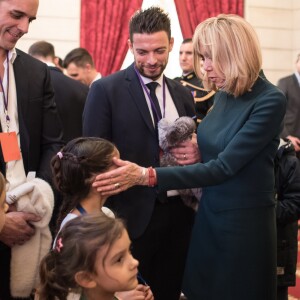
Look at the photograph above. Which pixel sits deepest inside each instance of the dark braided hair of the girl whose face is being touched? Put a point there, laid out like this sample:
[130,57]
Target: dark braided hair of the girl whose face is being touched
[74,167]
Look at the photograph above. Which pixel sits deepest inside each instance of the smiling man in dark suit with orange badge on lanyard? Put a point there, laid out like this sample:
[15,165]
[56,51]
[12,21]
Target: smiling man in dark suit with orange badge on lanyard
[29,121]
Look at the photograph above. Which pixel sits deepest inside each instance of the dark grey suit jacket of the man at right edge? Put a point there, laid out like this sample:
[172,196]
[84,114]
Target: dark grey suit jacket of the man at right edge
[290,87]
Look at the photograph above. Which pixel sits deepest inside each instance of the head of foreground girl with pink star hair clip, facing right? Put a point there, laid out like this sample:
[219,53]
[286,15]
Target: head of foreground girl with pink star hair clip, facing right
[91,259]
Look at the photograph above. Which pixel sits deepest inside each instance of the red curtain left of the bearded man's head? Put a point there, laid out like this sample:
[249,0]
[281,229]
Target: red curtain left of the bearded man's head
[104,31]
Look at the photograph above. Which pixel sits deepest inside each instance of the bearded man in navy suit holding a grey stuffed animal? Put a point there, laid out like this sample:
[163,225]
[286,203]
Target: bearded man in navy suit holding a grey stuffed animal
[123,109]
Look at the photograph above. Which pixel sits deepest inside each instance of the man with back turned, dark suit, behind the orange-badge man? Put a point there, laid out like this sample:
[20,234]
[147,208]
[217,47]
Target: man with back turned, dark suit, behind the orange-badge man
[70,95]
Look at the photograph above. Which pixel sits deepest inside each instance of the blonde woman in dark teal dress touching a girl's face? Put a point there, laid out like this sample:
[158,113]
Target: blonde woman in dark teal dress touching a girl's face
[232,253]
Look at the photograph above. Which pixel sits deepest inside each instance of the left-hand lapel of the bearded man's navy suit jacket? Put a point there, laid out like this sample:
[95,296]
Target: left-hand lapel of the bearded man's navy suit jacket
[137,95]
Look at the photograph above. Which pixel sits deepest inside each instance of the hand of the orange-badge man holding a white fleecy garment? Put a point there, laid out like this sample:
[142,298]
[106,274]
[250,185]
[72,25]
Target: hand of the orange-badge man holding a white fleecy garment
[17,228]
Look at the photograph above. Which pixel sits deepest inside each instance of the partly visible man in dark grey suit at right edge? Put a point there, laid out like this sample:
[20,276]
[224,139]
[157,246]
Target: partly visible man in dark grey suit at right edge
[290,86]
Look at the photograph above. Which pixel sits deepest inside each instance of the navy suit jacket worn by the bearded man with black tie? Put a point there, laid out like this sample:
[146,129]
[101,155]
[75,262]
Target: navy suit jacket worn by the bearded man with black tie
[116,109]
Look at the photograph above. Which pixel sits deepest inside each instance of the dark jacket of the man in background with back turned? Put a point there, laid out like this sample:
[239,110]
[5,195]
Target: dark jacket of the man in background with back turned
[70,96]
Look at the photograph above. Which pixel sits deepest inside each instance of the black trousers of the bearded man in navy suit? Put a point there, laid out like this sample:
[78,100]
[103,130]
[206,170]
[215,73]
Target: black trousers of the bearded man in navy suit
[162,249]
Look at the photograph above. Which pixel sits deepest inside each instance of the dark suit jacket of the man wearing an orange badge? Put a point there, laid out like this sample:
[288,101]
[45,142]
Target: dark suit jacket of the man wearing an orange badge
[39,124]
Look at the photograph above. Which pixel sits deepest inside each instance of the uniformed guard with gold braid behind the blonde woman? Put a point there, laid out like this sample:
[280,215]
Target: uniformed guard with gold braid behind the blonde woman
[203,99]
